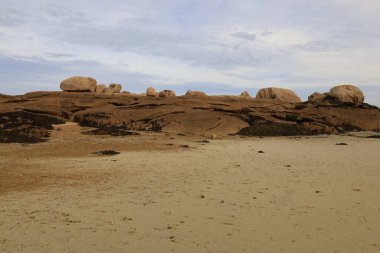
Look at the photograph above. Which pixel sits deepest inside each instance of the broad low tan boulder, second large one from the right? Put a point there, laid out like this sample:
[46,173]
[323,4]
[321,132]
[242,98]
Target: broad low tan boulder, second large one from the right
[280,94]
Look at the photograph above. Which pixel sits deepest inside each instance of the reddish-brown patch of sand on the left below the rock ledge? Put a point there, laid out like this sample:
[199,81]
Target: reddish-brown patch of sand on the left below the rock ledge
[21,168]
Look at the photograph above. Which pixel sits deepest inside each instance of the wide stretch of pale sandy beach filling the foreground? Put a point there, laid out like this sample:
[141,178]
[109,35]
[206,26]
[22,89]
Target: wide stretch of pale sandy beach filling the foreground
[170,193]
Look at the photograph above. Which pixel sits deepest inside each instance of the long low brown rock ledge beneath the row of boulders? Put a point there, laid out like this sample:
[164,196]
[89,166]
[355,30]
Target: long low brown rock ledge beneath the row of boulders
[28,118]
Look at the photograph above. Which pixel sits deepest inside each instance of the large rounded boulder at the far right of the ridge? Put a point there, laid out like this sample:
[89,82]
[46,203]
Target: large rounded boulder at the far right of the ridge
[347,94]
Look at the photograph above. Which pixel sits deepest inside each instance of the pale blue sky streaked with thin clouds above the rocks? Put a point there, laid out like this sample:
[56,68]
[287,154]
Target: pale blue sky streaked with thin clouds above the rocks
[217,46]
